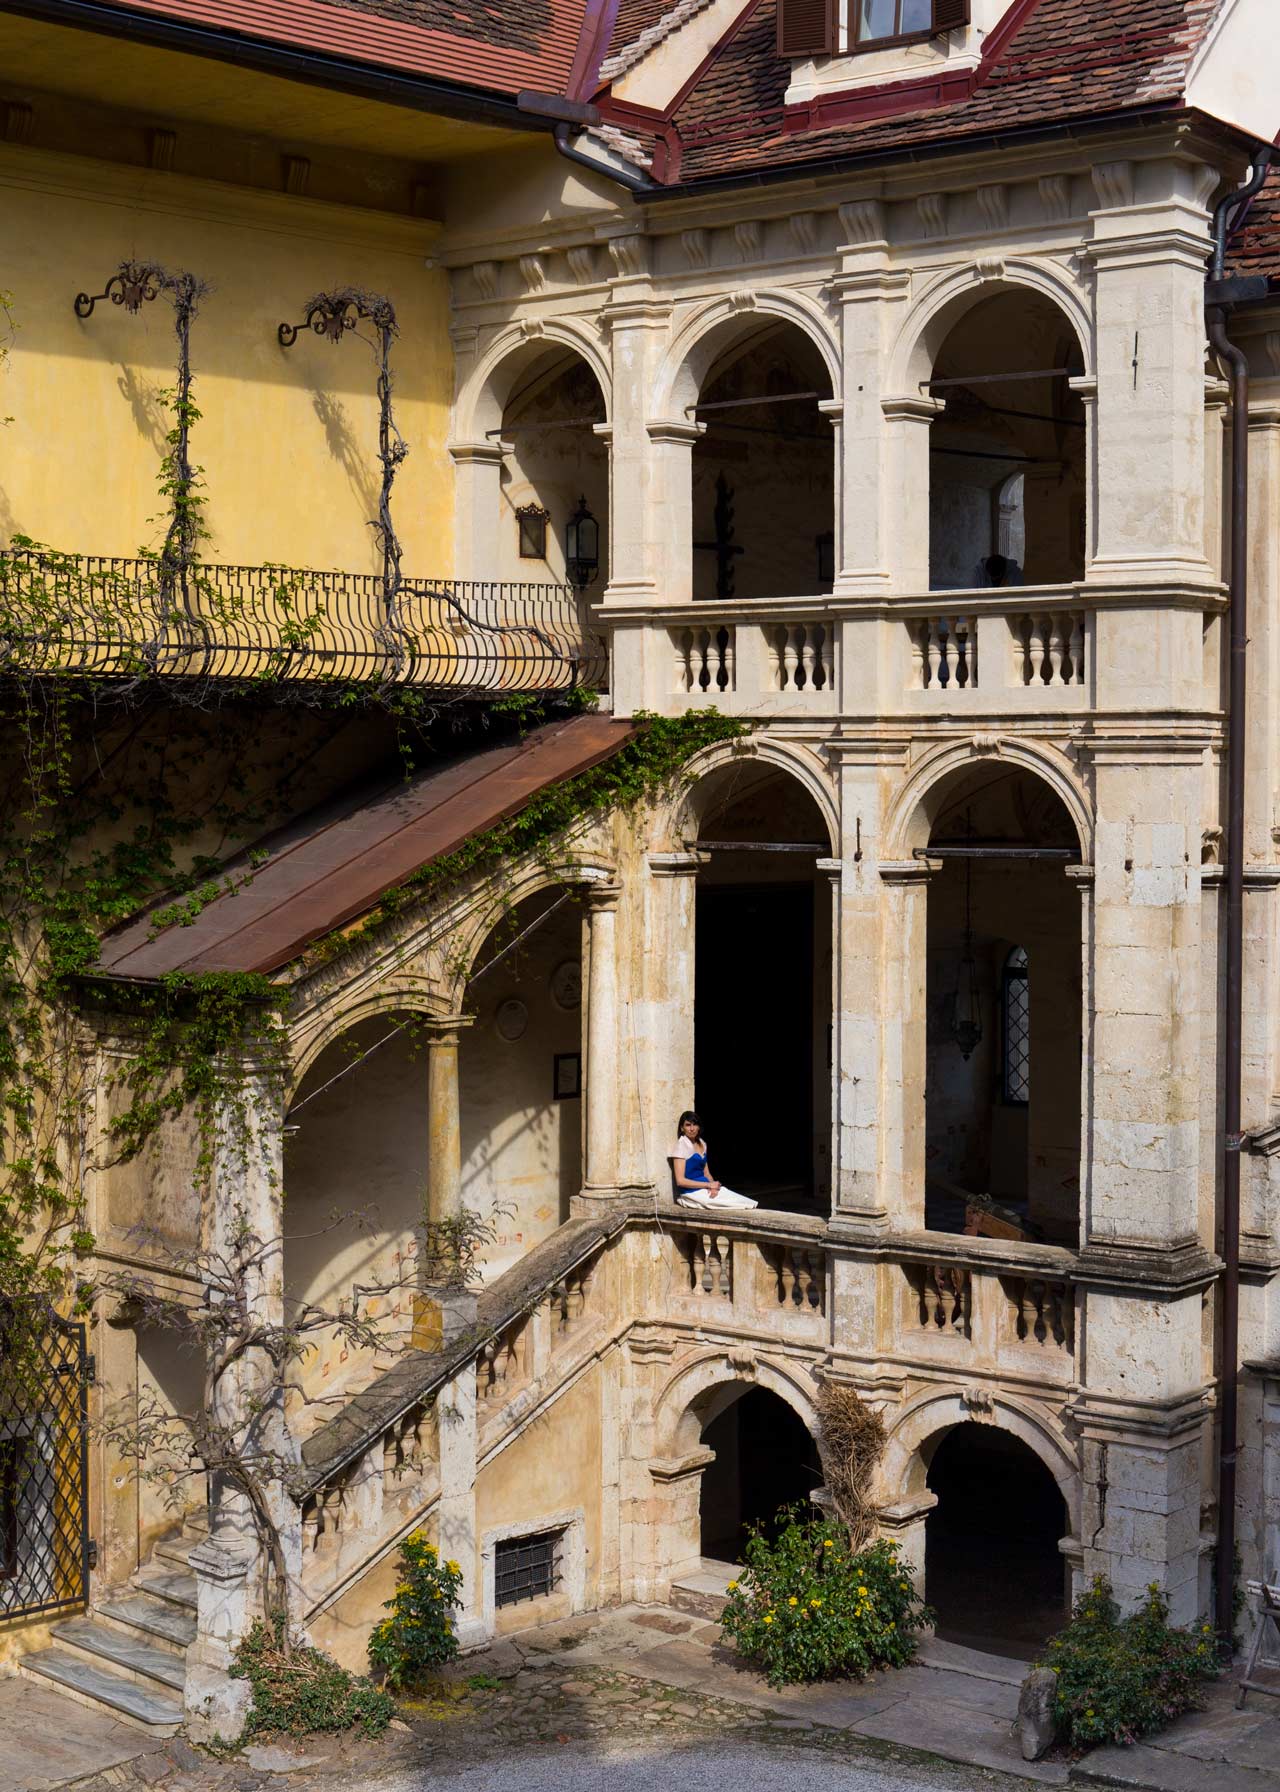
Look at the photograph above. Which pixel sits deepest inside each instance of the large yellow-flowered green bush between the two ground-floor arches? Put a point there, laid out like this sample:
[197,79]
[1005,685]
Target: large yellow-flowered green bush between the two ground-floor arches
[811,1608]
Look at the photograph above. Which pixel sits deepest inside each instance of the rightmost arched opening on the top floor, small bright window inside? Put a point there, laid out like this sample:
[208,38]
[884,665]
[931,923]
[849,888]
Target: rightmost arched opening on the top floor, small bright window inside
[1008,451]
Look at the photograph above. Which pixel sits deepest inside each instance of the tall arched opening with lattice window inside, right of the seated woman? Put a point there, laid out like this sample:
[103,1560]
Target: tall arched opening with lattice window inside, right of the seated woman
[1005,1003]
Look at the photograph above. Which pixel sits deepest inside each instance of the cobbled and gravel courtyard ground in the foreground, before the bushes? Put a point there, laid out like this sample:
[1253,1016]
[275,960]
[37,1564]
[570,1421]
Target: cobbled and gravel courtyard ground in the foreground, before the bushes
[650,1698]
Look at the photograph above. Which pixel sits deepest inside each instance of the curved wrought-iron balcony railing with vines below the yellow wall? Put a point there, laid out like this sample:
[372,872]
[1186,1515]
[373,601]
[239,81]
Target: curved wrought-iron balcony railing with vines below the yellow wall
[125,619]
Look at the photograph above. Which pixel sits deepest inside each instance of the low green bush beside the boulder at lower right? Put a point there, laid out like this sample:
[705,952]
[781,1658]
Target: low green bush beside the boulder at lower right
[1121,1678]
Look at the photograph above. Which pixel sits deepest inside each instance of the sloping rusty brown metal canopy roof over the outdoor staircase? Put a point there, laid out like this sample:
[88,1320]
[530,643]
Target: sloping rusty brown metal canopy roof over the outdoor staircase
[329,868]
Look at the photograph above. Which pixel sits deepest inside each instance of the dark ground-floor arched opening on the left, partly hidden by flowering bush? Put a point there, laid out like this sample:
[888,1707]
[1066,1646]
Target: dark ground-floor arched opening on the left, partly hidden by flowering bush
[765,1461]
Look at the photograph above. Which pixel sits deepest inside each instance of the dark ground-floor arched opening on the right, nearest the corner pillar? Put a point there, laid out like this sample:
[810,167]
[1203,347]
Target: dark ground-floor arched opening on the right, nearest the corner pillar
[994,1572]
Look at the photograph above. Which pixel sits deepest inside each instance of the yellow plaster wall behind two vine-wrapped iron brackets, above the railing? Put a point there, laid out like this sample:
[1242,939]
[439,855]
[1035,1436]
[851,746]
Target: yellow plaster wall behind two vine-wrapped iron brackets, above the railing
[288,440]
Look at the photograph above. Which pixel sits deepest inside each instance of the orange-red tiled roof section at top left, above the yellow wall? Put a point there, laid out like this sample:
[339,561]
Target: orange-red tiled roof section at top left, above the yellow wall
[476,44]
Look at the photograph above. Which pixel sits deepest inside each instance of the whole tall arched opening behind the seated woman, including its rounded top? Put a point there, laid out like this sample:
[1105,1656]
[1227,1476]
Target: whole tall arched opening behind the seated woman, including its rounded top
[763,986]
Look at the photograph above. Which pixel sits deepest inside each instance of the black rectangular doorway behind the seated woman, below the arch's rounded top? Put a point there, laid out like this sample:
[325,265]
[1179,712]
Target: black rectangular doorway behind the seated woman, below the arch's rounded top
[754,1044]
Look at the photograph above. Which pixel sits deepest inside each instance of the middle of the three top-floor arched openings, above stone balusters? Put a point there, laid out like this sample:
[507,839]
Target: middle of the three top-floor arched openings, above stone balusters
[765,469]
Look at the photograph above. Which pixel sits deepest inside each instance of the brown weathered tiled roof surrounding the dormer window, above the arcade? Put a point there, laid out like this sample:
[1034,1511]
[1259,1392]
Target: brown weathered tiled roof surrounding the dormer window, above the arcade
[1055,62]
